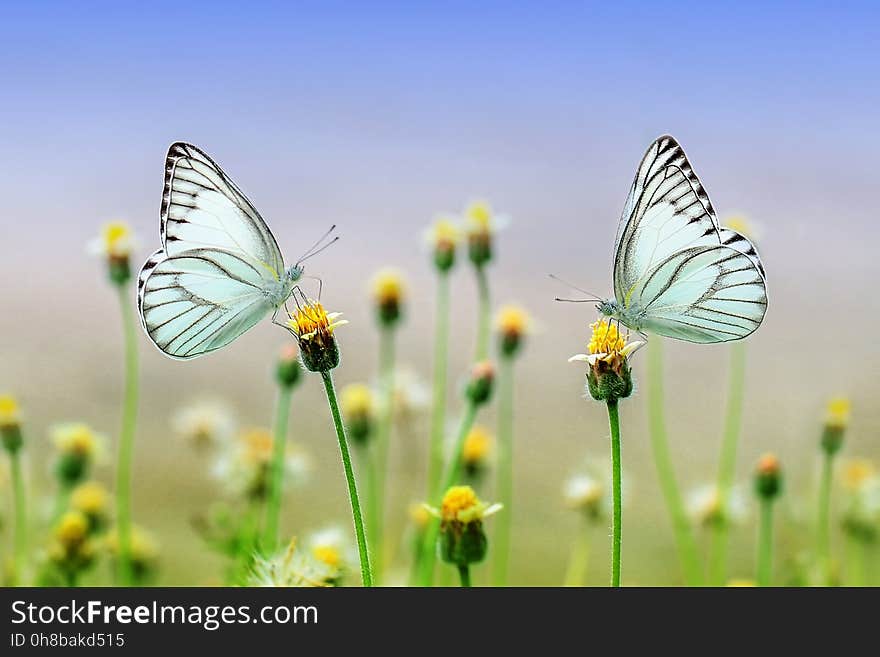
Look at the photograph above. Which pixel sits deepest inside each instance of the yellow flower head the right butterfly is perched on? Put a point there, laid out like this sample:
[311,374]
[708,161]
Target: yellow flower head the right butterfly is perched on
[609,376]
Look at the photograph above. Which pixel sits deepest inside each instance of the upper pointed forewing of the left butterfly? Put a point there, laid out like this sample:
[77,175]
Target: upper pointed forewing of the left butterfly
[202,207]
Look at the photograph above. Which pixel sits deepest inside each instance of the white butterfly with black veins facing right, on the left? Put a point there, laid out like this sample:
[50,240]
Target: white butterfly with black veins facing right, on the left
[219,270]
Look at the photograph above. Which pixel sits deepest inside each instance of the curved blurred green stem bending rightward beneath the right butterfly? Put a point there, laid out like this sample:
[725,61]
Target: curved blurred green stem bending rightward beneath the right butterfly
[684,538]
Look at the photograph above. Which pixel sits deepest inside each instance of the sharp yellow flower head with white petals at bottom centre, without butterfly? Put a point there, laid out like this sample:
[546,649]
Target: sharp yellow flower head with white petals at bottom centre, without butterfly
[462,539]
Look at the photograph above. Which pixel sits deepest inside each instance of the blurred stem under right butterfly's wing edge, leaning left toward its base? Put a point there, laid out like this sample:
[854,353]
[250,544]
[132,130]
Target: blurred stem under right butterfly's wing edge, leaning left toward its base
[718,544]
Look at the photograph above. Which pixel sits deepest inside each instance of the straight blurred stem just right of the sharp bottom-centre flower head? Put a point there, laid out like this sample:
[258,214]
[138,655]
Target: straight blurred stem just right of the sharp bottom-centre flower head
[505,472]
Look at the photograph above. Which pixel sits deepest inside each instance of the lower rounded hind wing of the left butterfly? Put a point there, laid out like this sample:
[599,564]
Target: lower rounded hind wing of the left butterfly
[199,300]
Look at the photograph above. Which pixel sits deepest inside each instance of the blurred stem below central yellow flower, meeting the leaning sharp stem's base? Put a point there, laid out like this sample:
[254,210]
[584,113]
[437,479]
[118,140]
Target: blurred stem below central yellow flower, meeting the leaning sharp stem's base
[383,439]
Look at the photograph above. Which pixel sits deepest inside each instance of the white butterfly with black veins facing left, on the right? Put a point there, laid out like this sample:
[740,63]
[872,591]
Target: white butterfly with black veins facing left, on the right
[676,272]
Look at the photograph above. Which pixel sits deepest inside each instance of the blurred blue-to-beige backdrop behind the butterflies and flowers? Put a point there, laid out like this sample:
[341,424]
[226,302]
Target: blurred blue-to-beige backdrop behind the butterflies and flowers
[377,116]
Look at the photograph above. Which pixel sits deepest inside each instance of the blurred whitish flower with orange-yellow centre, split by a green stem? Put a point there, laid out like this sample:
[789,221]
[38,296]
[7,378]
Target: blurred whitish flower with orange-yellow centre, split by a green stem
[245,467]
